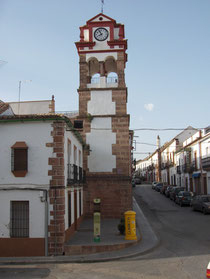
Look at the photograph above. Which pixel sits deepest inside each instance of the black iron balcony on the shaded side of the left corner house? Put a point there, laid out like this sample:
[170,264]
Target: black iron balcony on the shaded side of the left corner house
[75,174]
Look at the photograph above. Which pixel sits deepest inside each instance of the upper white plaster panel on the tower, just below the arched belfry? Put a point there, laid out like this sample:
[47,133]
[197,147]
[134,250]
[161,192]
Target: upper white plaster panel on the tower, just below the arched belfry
[101,103]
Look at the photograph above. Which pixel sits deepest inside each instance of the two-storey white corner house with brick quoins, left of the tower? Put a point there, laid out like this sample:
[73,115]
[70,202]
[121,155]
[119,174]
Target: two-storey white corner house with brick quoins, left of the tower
[41,184]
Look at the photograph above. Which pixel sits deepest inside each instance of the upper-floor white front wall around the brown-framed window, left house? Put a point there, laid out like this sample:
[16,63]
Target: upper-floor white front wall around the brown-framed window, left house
[36,135]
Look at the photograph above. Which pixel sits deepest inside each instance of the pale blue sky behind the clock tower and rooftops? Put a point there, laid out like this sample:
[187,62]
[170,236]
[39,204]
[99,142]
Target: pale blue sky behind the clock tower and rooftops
[168,69]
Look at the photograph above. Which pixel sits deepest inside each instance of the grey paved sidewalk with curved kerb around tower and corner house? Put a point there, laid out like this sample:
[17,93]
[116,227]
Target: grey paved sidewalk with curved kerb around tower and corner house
[111,241]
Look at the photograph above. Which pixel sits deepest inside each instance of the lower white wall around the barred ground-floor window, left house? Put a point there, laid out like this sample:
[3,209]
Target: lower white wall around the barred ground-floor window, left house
[36,212]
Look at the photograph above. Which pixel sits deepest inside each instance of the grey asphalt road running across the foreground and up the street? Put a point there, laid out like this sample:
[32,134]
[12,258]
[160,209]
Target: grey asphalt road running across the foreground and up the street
[184,249]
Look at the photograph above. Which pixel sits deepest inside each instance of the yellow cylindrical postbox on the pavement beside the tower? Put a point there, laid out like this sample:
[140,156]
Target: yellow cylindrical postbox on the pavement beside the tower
[130,225]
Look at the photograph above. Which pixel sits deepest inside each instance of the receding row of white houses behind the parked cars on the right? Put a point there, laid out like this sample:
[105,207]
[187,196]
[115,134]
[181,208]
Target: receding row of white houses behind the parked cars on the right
[184,161]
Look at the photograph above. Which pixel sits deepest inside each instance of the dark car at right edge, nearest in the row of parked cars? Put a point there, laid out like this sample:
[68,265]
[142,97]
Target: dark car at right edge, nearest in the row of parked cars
[201,203]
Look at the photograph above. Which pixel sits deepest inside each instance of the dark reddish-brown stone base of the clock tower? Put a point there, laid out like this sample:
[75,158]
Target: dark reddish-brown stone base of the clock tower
[115,192]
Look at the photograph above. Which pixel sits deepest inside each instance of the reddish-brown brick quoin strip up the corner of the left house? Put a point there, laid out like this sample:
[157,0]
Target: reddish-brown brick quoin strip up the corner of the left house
[56,229]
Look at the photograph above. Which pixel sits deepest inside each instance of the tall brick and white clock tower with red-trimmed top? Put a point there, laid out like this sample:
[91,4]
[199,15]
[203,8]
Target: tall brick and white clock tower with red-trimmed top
[103,111]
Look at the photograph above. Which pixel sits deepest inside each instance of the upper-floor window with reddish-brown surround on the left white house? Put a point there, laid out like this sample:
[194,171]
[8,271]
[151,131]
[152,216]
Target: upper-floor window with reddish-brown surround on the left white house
[19,159]
